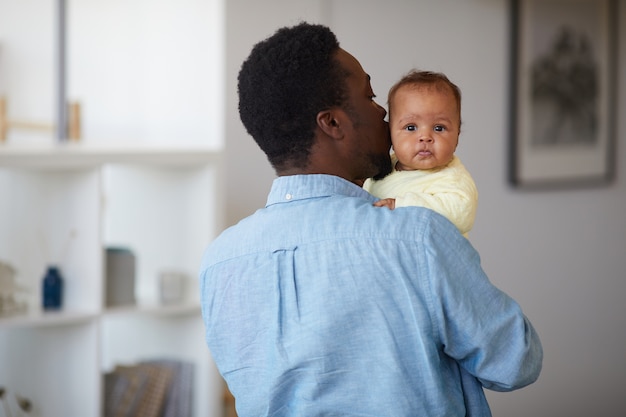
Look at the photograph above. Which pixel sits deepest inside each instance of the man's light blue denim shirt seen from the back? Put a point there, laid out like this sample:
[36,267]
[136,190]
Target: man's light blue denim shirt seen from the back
[320,304]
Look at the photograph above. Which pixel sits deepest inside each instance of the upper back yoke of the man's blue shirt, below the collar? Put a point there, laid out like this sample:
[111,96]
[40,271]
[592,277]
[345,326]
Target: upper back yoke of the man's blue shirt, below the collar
[328,219]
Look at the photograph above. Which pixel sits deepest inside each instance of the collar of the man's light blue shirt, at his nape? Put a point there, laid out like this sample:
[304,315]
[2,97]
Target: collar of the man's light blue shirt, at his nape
[299,187]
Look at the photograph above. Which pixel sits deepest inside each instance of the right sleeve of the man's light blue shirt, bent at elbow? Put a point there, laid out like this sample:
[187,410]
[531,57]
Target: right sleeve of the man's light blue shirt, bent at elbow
[478,325]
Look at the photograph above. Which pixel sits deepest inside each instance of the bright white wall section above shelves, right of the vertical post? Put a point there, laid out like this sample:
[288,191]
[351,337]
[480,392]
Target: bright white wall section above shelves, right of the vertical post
[147,70]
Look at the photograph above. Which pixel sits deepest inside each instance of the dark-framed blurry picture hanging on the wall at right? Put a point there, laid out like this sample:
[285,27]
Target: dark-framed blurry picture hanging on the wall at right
[563,92]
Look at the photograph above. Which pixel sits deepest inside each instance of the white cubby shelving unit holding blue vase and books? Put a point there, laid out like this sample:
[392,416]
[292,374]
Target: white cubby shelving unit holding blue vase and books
[64,204]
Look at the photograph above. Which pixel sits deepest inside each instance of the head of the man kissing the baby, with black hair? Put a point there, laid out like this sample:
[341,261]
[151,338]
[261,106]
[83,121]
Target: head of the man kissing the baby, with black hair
[298,99]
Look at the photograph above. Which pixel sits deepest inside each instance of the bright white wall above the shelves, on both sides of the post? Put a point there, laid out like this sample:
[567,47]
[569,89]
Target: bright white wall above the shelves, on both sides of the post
[142,70]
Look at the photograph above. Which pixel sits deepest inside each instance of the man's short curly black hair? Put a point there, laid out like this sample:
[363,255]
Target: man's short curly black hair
[284,83]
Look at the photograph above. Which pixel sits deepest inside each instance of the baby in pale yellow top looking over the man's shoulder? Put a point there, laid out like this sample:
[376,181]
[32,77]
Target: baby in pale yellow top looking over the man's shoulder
[425,122]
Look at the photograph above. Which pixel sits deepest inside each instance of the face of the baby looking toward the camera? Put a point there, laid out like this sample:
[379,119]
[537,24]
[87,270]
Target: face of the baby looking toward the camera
[425,124]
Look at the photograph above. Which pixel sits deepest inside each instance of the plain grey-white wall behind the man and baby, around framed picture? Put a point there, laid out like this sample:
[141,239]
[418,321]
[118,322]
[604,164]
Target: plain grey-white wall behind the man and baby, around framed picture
[561,254]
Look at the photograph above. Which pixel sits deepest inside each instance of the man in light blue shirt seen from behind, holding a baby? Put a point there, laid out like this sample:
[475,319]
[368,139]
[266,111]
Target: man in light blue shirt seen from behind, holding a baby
[321,304]
